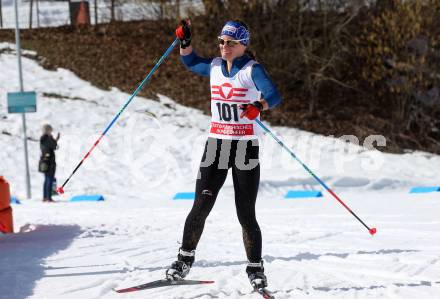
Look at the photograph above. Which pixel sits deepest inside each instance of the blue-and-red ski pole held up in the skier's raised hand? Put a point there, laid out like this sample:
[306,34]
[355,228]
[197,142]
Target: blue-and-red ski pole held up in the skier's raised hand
[60,190]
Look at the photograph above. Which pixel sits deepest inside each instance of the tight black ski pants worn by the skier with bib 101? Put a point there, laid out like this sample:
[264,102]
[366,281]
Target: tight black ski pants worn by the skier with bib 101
[218,157]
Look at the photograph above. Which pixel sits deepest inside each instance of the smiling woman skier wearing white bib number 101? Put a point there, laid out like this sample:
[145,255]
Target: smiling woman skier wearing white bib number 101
[240,90]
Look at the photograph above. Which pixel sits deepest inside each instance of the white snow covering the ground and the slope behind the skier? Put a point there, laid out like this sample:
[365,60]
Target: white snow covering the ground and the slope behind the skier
[312,248]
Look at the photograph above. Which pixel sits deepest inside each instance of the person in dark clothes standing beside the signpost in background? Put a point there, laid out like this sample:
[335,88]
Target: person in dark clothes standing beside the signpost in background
[47,165]
